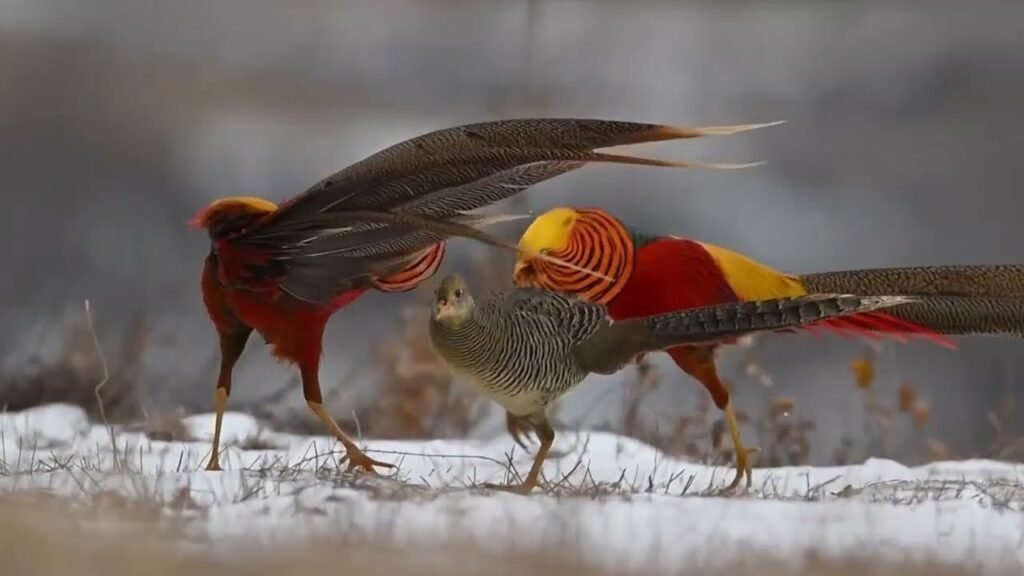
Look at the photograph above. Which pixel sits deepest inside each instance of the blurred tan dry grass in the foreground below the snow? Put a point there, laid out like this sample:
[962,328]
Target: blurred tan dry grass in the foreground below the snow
[47,537]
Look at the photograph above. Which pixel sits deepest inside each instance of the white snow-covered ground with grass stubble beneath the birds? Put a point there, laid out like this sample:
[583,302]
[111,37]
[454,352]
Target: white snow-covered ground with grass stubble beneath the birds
[614,499]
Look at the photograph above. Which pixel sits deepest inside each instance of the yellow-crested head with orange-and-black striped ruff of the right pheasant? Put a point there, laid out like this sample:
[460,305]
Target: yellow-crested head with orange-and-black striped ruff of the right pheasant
[589,238]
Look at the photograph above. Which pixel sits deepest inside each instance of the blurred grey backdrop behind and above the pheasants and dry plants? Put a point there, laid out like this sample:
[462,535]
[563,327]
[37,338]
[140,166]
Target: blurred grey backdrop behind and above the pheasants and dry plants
[119,119]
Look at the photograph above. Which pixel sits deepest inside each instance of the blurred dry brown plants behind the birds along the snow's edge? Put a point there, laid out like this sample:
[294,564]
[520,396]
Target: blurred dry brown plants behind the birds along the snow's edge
[418,398]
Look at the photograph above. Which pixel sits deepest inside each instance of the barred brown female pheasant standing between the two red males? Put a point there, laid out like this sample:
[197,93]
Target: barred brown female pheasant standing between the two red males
[526,348]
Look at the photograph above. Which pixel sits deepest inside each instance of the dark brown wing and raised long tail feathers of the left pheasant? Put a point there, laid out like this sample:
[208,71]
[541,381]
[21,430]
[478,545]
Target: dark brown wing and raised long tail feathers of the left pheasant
[435,177]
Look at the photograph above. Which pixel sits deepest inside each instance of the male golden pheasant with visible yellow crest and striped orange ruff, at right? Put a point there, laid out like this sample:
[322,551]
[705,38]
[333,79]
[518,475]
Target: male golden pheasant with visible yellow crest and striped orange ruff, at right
[646,274]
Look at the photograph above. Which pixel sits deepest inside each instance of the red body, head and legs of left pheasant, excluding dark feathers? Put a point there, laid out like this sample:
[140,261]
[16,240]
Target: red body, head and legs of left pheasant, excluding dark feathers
[244,291]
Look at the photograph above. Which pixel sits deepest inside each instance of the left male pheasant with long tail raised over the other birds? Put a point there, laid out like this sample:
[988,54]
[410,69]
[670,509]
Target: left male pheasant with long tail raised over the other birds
[381,224]
